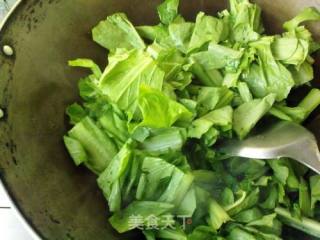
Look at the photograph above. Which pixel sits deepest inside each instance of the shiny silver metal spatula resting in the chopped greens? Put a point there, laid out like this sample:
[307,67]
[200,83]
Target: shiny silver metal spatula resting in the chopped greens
[284,139]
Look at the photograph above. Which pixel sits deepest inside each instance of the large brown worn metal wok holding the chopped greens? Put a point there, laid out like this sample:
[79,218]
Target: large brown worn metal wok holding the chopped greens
[58,200]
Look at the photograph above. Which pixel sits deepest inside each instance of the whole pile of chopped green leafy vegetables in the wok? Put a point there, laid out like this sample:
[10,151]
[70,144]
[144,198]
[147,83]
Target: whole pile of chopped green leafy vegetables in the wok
[150,120]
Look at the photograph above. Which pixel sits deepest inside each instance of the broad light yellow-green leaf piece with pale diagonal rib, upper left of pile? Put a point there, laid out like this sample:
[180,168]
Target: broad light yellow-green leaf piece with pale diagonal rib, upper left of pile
[122,79]
